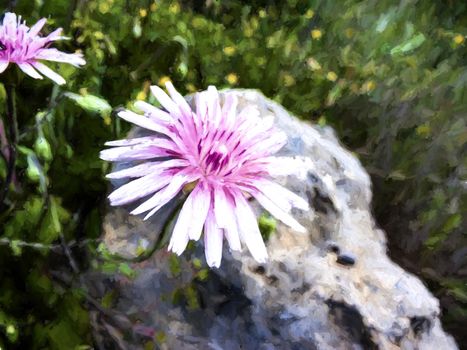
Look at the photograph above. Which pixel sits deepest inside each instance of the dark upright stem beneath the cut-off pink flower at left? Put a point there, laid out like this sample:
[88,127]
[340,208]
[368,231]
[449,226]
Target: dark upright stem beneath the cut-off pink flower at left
[13,136]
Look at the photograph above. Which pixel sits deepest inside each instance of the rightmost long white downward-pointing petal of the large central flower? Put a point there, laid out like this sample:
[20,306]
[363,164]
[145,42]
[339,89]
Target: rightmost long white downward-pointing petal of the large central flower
[248,228]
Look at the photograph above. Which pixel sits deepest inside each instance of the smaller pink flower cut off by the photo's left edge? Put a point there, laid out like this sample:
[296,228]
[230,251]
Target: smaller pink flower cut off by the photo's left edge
[24,46]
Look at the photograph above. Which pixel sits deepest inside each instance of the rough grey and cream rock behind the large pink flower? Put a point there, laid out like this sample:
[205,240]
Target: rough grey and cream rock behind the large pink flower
[331,288]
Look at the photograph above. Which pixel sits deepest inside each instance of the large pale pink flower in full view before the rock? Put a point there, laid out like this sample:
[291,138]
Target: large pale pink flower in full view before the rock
[225,155]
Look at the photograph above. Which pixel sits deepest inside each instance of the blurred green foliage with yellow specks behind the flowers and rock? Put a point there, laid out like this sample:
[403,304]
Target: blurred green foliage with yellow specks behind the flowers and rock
[389,76]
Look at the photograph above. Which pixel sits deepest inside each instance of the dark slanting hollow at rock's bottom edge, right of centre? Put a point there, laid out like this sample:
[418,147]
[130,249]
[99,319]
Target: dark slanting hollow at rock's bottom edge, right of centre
[349,318]
